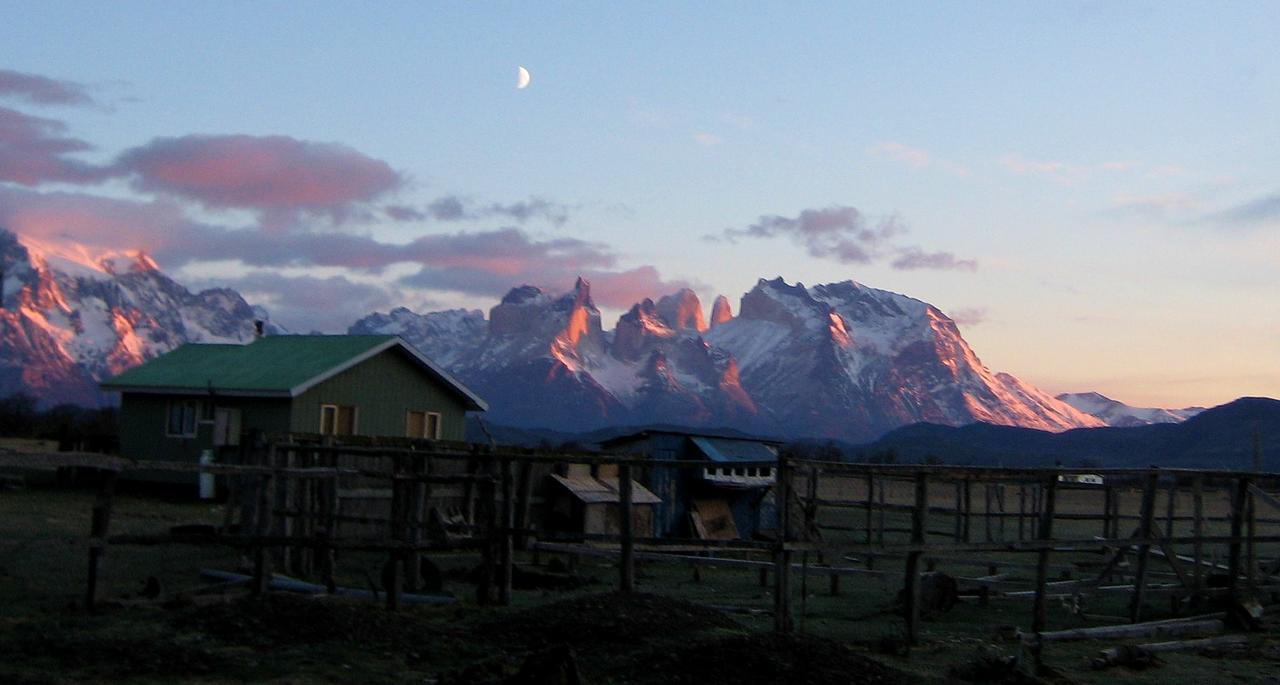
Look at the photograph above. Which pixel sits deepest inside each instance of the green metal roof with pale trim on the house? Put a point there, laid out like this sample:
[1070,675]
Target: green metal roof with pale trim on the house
[269,367]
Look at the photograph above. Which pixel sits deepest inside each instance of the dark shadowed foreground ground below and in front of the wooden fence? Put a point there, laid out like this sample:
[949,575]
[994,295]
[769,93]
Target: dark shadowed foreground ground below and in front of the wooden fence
[669,633]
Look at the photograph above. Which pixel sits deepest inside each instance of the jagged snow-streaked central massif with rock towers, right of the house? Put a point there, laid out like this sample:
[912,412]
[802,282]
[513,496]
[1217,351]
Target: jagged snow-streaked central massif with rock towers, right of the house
[839,360]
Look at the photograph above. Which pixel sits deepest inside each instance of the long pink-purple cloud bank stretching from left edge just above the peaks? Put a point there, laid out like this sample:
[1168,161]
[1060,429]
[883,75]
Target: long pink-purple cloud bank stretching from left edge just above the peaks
[486,263]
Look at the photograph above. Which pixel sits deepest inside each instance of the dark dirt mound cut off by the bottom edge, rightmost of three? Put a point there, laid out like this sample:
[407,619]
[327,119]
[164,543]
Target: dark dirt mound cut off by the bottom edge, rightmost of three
[770,659]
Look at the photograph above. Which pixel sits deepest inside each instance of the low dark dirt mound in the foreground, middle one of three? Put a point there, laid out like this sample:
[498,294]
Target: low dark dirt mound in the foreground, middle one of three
[607,619]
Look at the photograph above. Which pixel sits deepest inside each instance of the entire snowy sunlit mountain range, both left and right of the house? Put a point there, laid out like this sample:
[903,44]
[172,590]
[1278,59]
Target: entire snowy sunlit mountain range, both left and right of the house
[840,360]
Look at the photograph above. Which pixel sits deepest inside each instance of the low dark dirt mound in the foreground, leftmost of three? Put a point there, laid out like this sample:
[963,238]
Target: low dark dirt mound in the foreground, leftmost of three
[285,619]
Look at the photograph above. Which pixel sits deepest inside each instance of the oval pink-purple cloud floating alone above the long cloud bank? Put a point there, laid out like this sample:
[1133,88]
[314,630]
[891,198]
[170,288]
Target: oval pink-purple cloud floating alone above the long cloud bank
[269,173]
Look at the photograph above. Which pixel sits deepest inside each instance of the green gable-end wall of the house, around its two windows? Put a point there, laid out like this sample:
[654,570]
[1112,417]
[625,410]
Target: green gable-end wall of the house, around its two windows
[383,390]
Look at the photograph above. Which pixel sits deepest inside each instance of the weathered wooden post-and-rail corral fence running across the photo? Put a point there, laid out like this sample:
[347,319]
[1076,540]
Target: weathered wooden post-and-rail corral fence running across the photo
[1191,537]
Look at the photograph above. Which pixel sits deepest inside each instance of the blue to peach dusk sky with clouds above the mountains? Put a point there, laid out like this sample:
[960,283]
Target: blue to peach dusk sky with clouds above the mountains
[1092,190]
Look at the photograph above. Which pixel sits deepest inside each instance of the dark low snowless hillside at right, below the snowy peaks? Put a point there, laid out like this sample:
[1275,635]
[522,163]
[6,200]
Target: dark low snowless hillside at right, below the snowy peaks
[1218,439]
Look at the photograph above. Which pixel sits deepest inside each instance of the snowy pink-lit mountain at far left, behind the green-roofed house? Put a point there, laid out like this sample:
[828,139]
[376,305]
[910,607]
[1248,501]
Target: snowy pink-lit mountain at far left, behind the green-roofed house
[70,319]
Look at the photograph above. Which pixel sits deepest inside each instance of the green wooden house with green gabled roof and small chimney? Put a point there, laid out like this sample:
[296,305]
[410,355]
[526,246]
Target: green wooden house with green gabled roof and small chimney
[204,398]
